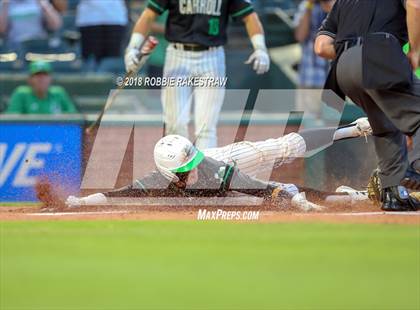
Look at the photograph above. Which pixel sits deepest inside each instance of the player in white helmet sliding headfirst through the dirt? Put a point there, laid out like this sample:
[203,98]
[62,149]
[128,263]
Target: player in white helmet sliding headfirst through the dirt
[185,171]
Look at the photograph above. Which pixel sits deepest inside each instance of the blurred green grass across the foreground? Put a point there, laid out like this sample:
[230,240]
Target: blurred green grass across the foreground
[208,265]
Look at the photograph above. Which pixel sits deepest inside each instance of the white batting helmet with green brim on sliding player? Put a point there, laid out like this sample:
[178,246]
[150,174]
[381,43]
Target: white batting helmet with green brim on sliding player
[176,154]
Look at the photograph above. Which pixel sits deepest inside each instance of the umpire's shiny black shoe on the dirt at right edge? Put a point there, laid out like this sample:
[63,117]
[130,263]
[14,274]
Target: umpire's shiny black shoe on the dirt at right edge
[396,198]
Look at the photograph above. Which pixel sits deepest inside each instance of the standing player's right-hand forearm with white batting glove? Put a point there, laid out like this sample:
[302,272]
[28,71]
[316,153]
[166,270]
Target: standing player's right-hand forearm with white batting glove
[259,59]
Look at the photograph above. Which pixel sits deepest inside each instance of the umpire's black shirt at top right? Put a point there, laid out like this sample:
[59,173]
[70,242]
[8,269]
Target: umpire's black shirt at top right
[350,18]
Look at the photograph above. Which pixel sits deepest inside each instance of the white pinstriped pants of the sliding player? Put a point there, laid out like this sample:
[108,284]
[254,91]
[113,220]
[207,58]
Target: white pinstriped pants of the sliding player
[255,158]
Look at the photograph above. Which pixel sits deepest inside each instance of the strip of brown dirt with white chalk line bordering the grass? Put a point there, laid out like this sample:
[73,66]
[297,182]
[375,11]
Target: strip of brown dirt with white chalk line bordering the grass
[361,214]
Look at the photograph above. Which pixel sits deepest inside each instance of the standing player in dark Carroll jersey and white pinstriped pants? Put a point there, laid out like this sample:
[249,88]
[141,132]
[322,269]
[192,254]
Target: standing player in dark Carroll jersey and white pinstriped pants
[196,31]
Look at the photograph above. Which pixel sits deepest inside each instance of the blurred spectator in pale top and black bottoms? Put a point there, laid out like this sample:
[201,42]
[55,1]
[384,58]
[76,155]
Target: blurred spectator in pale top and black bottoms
[103,26]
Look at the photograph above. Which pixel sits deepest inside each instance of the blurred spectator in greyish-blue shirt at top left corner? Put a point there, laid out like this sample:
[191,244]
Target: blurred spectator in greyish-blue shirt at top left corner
[22,20]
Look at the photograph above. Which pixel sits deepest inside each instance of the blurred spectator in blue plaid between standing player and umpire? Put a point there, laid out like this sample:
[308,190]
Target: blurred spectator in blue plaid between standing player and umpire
[313,70]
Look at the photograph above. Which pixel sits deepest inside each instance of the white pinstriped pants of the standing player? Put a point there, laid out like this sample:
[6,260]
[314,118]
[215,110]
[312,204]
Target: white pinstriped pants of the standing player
[208,101]
